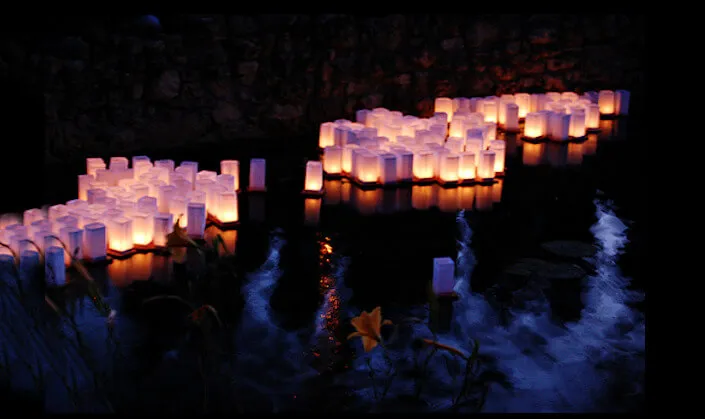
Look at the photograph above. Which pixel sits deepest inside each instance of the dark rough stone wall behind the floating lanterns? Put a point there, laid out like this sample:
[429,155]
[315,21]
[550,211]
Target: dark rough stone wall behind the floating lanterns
[111,88]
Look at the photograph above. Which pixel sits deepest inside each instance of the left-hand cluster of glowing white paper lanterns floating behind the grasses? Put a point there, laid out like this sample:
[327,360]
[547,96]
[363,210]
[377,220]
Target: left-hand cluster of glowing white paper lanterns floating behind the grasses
[123,207]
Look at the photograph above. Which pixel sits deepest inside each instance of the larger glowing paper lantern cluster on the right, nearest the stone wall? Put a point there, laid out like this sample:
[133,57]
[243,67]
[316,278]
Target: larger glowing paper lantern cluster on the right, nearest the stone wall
[459,143]
